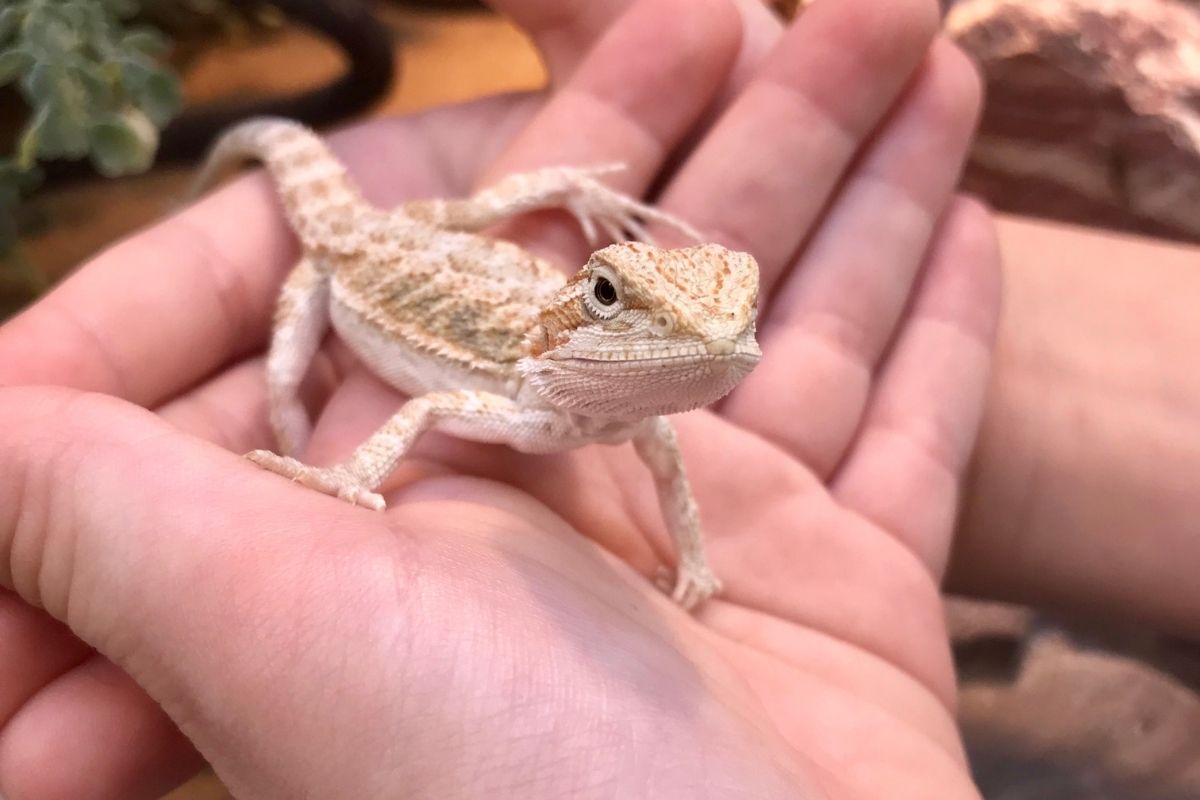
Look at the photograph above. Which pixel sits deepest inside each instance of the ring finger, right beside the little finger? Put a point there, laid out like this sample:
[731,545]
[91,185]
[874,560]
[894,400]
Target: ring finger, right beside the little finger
[831,321]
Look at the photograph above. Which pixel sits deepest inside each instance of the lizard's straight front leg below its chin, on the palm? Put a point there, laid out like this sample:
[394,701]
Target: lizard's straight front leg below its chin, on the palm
[659,449]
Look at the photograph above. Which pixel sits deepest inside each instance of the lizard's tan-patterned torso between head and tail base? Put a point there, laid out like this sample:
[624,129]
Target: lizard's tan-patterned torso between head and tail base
[435,310]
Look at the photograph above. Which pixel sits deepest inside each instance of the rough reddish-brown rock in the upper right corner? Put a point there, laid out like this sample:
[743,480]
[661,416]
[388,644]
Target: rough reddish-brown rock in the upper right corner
[1093,113]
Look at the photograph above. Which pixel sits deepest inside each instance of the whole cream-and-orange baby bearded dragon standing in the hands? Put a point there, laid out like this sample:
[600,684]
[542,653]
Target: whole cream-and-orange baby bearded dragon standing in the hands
[491,342]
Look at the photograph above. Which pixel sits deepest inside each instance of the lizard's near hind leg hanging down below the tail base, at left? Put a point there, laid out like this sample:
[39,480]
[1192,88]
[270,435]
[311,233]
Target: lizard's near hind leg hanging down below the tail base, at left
[302,318]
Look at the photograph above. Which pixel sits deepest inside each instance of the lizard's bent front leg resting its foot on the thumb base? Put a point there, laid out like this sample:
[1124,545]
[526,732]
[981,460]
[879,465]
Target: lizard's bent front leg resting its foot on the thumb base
[476,416]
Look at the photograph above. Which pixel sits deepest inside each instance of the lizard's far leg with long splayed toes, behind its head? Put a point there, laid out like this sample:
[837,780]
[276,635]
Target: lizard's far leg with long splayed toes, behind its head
[572,189]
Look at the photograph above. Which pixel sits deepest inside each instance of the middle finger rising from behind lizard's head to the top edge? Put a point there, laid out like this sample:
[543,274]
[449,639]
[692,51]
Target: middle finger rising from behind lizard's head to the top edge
[763,178]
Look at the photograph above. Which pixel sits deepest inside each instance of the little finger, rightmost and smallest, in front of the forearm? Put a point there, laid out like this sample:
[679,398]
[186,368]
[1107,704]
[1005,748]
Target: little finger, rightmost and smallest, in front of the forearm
[905,468]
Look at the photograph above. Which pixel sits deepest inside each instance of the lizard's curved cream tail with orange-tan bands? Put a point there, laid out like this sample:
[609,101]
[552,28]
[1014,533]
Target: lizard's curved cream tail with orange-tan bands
[313,185]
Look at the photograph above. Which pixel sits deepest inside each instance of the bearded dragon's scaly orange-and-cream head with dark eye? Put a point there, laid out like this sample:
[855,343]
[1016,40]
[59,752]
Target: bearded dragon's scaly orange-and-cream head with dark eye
[643,332]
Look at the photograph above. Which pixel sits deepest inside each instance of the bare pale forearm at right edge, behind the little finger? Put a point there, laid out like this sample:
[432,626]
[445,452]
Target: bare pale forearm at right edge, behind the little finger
[1091,430]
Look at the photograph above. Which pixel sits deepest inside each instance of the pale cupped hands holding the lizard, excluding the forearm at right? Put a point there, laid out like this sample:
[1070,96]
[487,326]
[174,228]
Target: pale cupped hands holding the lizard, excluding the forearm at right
[496,633]
